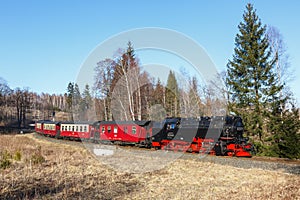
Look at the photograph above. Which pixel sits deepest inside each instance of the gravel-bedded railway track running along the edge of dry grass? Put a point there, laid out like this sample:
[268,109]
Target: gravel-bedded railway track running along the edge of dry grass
[264,163]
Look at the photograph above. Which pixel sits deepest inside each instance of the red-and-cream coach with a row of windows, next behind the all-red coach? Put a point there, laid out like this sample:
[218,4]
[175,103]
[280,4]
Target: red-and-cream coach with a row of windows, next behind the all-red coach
[76,130]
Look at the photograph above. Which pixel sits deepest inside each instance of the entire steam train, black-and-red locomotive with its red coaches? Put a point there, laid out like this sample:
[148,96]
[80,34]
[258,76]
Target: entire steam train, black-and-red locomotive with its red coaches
[218,135]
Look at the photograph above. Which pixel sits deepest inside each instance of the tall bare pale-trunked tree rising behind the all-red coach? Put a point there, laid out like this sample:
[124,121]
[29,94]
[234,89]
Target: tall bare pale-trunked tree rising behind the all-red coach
[126,86]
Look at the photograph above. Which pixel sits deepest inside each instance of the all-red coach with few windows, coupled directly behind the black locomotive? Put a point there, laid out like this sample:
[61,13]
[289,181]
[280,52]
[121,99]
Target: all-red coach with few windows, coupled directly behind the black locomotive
[124,132]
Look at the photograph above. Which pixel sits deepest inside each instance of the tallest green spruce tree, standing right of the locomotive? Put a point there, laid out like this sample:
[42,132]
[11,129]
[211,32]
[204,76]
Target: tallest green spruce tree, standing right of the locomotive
[253,87]
